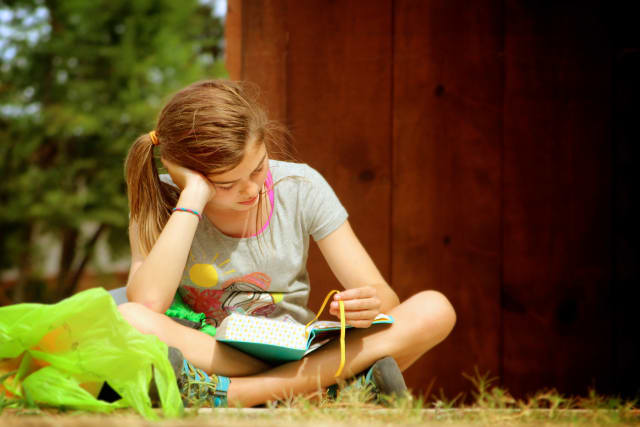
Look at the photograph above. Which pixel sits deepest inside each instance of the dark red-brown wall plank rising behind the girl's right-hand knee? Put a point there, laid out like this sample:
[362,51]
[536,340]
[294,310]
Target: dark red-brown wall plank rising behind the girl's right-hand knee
[447,132]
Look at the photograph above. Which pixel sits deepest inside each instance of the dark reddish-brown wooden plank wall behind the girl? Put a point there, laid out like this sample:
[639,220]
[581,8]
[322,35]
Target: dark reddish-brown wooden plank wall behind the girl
[474,147]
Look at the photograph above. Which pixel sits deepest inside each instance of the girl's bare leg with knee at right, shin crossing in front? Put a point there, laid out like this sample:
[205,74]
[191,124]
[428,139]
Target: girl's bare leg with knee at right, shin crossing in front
[421,322]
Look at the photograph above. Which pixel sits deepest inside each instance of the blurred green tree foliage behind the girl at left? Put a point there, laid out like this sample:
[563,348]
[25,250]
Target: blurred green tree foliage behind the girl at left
[79,81]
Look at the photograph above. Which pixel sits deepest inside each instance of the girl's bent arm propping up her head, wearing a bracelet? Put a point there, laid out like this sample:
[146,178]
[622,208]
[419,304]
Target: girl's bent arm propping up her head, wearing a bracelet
[154,278]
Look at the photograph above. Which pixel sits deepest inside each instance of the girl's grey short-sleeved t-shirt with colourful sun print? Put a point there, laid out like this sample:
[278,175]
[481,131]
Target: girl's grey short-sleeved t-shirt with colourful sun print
[263,275]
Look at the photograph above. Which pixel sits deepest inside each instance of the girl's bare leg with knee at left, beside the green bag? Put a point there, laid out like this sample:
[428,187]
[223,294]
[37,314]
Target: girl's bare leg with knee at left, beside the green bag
[197,347]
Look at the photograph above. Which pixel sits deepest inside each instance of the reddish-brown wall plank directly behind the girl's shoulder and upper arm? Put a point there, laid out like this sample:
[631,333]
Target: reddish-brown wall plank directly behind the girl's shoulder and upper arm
[339,77]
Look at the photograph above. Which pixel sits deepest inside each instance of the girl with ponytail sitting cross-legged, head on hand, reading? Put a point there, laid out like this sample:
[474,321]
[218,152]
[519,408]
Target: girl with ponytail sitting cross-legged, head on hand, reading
[229,230]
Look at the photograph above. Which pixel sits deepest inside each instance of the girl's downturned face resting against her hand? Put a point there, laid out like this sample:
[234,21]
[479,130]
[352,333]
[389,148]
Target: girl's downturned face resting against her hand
[237,189]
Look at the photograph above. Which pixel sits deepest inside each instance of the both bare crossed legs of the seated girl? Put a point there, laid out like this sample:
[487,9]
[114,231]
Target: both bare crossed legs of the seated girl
[421,322]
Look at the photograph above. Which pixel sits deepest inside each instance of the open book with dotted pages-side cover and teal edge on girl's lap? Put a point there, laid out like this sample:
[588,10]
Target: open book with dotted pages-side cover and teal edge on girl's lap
[279,341]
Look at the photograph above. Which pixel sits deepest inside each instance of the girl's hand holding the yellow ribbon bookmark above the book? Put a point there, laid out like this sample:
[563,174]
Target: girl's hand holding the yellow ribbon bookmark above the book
[361,306]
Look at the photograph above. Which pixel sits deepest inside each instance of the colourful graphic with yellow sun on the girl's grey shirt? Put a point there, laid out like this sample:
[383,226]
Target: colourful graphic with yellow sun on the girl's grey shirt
[248,294]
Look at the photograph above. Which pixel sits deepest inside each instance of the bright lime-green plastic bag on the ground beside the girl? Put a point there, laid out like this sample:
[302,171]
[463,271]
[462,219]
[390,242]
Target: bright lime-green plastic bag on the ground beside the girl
[61,354]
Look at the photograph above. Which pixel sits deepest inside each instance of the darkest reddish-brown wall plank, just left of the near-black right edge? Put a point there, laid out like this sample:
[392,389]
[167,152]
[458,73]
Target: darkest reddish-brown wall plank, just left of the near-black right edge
[557,198]
